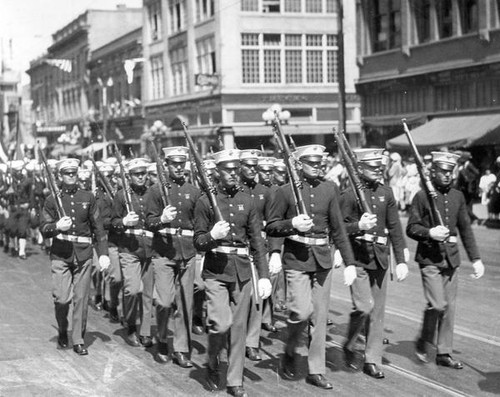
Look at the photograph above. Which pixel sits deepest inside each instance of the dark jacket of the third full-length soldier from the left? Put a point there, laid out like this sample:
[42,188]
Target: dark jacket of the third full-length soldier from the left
[183,196]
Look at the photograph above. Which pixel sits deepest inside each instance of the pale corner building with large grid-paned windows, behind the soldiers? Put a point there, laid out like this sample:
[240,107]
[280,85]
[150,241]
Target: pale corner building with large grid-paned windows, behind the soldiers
[220,65]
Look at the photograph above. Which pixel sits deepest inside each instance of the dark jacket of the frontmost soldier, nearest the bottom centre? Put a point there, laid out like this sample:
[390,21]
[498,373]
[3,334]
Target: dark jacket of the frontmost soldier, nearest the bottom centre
[238,209]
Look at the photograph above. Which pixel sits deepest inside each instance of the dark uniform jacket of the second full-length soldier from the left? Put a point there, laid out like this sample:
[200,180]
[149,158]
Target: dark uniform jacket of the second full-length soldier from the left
[140,245]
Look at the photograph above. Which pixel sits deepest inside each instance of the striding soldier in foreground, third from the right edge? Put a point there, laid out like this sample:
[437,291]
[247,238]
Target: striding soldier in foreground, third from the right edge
[307,259]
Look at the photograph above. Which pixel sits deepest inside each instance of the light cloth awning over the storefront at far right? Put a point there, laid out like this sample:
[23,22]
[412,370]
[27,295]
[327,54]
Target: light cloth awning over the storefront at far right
[453,132]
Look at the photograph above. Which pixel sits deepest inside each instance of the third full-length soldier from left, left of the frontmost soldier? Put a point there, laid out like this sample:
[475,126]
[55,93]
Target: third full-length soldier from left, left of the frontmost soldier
[174,259]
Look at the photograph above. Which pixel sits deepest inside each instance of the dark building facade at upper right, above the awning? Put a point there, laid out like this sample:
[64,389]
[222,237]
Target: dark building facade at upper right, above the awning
[426,59]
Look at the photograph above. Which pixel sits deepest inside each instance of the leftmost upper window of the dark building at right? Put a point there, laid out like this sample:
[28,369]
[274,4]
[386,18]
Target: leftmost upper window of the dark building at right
[386,24]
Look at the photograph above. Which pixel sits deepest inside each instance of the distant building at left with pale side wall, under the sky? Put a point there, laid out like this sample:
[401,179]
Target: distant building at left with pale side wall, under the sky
[60,80]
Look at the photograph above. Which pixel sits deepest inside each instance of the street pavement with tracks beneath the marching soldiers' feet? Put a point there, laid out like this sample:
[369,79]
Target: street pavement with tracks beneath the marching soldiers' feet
[32,365]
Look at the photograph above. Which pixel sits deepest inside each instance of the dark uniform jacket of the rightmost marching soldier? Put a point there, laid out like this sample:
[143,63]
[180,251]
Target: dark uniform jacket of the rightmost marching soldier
[451,205]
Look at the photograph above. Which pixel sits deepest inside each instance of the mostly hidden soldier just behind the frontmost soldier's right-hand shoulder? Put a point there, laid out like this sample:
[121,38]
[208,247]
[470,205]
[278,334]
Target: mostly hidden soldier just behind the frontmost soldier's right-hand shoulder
[260,194]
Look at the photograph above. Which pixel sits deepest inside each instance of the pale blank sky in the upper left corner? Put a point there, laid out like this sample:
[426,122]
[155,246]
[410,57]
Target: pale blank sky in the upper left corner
[31,23]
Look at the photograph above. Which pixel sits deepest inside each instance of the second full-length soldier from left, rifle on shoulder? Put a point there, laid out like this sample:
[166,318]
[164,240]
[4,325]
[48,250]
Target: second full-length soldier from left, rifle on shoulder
[135,249]
